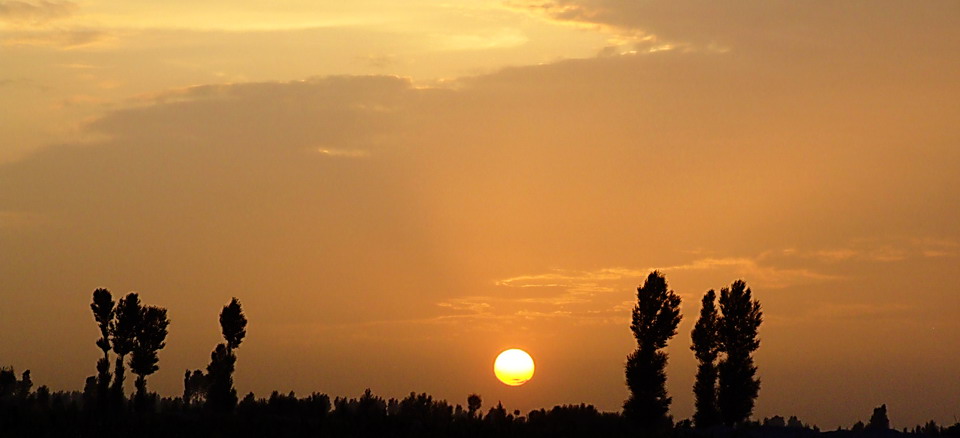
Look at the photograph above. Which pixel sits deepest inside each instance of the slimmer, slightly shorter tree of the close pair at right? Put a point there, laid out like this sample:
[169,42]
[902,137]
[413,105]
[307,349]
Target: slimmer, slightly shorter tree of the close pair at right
[706,347]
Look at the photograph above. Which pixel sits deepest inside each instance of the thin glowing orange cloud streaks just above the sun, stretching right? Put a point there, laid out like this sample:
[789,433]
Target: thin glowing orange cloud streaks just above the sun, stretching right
[590,296]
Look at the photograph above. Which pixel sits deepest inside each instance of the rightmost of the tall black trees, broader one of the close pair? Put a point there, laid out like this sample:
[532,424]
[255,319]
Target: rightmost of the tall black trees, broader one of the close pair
[737,329]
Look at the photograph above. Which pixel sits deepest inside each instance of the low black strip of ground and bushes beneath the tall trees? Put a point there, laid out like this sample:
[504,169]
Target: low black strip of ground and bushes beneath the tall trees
[43,414]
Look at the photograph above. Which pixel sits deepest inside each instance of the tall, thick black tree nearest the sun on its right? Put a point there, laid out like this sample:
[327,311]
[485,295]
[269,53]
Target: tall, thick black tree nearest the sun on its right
[655,319]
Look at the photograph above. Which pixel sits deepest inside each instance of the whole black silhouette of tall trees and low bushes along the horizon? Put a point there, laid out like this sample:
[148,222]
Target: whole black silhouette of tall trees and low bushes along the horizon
[132,334]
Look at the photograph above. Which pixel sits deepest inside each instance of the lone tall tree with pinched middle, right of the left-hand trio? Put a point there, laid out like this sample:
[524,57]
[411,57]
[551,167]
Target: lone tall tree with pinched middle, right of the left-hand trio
[221,395]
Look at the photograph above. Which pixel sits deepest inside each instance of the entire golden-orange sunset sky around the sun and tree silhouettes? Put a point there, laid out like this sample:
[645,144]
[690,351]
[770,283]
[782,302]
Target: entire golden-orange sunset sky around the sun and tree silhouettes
[399,190]
